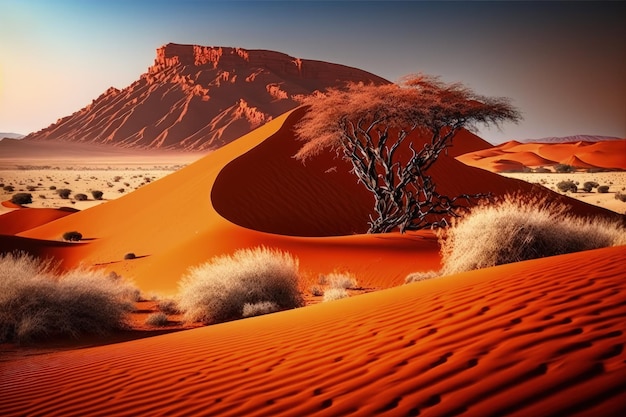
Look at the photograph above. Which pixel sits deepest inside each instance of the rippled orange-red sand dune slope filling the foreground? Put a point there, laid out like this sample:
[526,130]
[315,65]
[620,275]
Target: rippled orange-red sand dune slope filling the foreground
[543,337]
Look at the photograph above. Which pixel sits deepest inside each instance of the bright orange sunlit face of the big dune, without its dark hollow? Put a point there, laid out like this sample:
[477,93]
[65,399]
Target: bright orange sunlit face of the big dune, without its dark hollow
[171,224]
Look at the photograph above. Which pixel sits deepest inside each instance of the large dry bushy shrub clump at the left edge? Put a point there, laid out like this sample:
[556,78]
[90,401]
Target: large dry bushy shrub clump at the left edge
[37,302]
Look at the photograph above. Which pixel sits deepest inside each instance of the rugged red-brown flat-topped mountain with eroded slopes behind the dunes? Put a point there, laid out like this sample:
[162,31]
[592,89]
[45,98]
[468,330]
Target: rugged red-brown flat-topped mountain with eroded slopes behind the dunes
[199,98]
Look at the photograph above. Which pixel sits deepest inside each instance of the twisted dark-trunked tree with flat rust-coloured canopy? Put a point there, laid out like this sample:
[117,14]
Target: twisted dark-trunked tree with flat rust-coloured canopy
[371,123]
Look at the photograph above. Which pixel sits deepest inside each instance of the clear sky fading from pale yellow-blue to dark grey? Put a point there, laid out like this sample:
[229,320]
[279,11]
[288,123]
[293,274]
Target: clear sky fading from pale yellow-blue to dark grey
[563,63]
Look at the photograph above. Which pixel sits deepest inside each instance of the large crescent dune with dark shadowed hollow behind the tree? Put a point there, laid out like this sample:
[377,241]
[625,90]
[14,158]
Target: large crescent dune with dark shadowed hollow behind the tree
[252,192]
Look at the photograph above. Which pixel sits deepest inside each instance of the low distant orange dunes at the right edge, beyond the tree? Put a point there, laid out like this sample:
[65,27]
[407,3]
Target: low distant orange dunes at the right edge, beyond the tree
[515,156]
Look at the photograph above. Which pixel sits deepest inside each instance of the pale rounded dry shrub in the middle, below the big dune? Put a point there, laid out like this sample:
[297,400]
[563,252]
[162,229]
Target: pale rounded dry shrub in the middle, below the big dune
[217,290]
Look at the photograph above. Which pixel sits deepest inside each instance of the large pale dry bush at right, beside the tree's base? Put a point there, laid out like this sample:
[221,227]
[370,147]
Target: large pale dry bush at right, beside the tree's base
[517,229]
